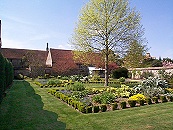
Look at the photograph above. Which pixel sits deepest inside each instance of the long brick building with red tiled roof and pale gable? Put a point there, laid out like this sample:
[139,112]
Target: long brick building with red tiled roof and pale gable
[52,61]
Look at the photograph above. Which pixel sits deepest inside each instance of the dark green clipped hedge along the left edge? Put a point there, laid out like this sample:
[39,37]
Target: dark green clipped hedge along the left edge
[6,75]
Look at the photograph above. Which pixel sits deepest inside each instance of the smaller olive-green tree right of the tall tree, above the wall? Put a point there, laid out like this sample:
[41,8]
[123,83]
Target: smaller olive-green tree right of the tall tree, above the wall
[135,55]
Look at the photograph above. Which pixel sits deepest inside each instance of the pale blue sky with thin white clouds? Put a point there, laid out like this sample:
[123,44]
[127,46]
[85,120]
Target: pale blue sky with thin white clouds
[30,24]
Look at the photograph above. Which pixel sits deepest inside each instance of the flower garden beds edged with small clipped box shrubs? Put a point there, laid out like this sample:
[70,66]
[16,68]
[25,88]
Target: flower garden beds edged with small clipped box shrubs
[90,96]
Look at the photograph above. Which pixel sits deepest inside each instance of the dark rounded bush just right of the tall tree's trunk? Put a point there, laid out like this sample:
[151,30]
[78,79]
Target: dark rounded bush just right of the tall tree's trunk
[120,72]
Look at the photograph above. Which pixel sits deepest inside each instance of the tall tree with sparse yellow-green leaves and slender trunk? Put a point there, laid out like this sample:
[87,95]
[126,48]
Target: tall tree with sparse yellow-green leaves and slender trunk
[106,25]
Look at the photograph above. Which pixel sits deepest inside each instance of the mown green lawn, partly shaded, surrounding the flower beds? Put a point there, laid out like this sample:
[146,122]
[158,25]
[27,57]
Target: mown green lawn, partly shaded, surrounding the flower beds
[29,107]
